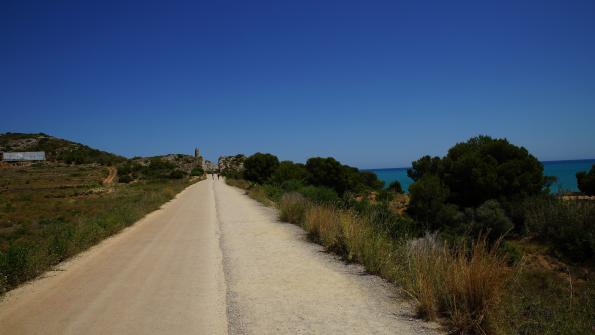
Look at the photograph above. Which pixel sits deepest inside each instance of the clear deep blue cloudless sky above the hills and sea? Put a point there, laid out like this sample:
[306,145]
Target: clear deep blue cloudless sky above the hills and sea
[375,84]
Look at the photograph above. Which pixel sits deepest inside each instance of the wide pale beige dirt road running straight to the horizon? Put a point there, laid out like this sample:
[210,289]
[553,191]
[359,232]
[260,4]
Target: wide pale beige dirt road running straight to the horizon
[212,261]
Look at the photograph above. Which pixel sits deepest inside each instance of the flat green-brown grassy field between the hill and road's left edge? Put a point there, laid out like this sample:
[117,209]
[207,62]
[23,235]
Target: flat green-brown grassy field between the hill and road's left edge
[50,212]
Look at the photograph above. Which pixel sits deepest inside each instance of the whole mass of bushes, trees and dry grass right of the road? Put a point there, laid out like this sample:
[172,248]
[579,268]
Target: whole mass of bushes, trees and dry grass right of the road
[481,245]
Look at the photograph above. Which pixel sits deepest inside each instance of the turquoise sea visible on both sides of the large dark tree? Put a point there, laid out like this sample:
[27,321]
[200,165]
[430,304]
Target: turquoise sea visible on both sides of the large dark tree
[565,171]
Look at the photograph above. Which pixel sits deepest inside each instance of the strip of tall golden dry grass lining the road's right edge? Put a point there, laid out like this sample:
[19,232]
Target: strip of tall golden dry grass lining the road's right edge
[462,283]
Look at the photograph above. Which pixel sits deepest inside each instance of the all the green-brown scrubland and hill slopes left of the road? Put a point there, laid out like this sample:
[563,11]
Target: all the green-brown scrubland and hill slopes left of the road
[50,211]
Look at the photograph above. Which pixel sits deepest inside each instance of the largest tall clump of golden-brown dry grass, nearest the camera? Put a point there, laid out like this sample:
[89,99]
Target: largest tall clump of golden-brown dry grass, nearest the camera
[464,283]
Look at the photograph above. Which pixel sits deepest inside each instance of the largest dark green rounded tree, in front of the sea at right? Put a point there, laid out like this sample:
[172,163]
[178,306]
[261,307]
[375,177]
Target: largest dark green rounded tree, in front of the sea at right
[484,168]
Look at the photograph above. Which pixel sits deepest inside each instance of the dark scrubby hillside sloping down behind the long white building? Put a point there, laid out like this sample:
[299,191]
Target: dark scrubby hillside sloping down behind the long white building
[57,149]
